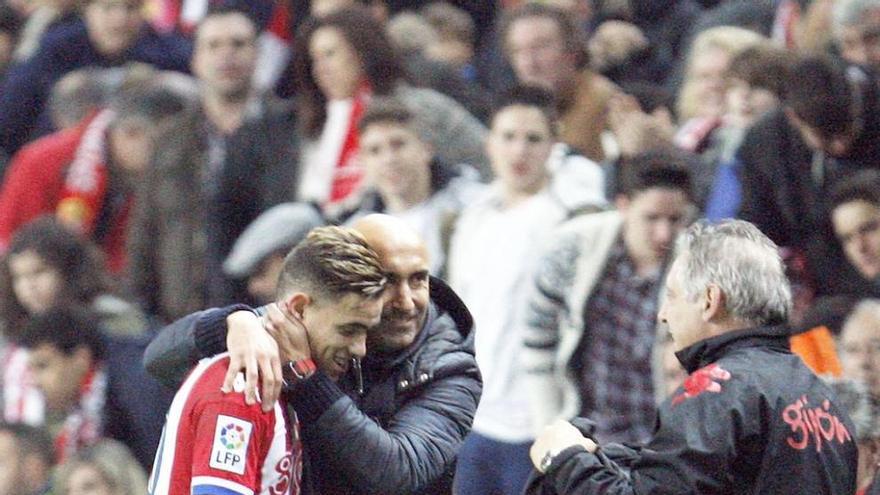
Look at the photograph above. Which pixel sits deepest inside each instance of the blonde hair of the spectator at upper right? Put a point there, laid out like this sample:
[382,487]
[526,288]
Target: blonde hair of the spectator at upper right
[729,39]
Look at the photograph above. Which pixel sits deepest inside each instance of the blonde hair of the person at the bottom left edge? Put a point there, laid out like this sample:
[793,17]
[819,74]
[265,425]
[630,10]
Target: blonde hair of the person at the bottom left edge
[112,460]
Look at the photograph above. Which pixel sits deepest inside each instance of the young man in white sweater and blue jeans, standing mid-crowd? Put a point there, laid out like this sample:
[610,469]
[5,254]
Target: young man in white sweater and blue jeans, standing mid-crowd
[491,254]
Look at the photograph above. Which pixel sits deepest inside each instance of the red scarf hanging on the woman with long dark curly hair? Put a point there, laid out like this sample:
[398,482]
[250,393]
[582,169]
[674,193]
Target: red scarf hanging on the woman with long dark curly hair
[349,174]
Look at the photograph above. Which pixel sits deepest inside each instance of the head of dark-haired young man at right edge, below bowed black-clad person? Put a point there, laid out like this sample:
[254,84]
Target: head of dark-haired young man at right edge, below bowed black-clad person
[855,217]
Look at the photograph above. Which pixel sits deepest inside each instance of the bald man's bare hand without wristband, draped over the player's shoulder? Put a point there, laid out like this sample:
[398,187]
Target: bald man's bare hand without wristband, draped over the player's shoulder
[252,349]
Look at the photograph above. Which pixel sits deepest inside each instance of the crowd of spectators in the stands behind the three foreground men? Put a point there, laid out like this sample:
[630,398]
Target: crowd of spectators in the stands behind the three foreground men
[161,156]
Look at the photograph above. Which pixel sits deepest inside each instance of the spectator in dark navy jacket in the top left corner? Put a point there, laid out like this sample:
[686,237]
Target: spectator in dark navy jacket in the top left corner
[112,33]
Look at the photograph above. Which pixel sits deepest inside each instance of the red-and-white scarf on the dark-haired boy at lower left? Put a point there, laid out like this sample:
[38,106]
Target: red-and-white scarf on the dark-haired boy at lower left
[83,427]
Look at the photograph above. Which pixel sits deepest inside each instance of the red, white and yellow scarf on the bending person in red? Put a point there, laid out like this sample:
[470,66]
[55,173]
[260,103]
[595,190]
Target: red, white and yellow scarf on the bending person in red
[85,188]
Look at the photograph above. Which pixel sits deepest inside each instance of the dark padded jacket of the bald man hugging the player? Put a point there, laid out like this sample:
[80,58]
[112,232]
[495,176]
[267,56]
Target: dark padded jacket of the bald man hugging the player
[401,435]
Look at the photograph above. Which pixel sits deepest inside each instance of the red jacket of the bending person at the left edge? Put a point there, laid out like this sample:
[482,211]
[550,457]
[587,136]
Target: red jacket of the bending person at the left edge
[34,182]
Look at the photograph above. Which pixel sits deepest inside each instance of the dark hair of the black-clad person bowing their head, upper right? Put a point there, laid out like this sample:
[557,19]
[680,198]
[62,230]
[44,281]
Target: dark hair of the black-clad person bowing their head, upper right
[819,92]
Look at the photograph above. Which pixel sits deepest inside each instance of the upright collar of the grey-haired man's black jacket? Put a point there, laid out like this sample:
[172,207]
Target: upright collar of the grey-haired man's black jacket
[709,350]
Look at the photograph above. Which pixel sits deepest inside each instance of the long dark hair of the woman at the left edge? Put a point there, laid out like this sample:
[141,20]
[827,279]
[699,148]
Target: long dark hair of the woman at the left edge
[78,262]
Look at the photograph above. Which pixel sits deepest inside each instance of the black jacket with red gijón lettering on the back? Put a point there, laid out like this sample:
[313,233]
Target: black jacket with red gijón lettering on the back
[743,422]
